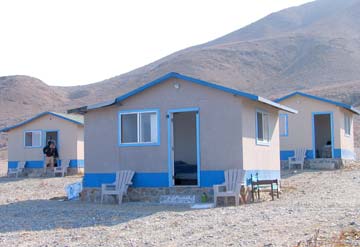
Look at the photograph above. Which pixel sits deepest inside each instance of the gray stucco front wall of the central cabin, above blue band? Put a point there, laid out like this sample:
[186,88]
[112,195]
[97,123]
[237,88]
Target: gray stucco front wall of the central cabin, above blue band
[220,130]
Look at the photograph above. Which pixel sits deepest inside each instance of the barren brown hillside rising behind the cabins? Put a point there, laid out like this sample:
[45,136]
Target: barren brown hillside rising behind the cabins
[314,47]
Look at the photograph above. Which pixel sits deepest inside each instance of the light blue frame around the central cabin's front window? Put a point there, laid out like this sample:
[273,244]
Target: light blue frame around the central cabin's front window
[123,112]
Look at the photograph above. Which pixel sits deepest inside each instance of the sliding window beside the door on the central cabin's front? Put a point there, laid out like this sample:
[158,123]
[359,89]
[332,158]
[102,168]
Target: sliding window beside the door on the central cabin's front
[138,127]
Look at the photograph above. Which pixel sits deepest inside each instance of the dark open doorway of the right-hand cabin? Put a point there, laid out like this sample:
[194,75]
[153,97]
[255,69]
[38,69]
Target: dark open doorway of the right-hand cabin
[323,146]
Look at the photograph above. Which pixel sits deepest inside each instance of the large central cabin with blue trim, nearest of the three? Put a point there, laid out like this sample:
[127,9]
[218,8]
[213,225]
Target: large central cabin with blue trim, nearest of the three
[180,133]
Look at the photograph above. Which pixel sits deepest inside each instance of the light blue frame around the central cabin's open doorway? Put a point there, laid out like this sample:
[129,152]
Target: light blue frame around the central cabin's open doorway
[170,135]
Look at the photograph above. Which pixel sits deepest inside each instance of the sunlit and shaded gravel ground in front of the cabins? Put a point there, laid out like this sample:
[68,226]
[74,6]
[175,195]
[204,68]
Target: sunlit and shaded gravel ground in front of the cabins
[311,200]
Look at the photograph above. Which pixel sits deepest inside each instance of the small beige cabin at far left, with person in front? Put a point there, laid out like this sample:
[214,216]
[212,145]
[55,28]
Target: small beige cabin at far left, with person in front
[27,139]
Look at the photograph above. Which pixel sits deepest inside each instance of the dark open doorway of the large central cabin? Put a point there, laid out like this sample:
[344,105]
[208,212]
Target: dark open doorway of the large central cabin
[184,148]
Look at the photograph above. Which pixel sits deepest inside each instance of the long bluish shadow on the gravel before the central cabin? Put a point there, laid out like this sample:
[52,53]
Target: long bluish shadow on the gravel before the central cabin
[39,215]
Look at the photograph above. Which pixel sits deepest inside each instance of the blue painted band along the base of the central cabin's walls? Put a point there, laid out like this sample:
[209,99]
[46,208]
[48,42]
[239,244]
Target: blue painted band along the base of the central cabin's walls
[207,178]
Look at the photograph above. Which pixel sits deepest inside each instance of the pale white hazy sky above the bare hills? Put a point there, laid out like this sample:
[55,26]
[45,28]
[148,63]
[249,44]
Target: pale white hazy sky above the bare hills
[71,42]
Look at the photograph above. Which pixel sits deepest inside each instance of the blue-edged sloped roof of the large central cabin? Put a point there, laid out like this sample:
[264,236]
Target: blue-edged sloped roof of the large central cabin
[189,79]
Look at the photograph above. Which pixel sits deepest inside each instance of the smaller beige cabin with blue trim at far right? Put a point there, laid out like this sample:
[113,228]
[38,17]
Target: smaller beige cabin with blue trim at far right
[324,127]
